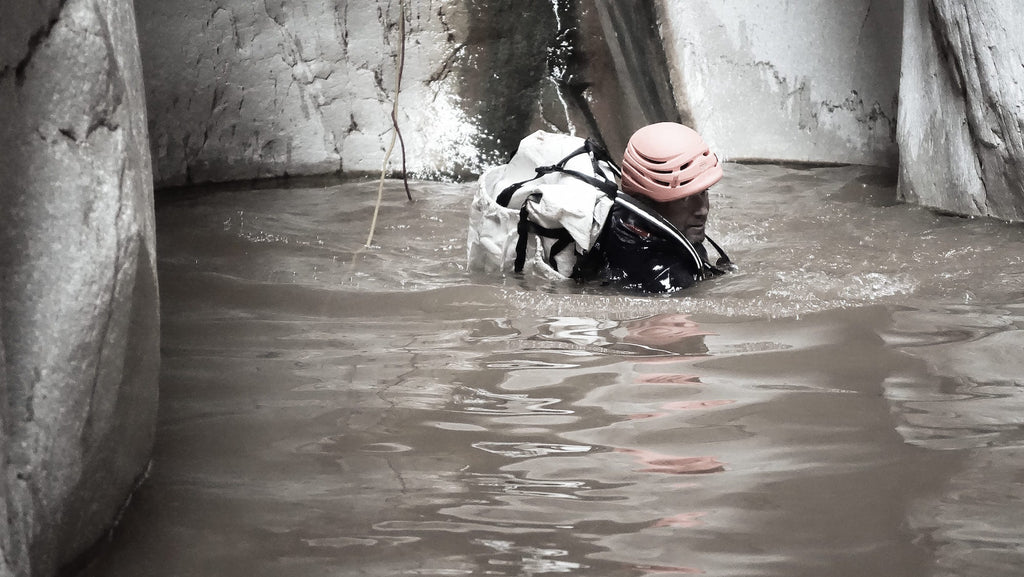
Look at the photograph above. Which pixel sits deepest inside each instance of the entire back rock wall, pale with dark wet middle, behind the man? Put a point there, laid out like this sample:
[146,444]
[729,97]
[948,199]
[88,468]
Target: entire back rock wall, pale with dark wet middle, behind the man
[241,90]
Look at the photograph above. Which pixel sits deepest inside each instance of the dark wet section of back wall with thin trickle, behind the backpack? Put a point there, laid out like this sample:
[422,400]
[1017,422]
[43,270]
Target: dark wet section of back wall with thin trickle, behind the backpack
[589,69]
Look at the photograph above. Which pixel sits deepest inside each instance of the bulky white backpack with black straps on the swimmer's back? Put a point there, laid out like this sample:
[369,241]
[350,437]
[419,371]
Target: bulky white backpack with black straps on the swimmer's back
[556,210]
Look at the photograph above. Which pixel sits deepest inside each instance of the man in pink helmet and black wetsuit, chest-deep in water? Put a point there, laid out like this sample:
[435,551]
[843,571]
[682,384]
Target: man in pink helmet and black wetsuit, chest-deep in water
[655,241]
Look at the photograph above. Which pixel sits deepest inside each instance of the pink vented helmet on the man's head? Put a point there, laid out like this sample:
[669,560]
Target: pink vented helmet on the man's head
[668,161]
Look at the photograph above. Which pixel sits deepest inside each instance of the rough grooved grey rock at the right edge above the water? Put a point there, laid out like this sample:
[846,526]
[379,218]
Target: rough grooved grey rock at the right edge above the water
[960,136]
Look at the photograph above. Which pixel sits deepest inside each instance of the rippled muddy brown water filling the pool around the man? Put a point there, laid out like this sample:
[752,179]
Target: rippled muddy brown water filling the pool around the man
[848,403]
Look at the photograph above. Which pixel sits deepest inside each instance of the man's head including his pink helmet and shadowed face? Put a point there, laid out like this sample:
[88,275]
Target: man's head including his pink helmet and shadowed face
[672,167]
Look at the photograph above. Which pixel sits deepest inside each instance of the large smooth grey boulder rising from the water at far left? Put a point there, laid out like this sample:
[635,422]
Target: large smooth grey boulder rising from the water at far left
[79,335]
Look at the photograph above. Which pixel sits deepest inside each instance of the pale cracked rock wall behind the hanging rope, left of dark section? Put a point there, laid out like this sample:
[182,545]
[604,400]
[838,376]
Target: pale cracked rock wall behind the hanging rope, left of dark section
[243,90]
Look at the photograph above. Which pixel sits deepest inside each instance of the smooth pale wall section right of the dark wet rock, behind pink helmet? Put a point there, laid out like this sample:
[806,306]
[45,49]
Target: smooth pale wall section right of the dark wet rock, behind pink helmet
[813,81]
